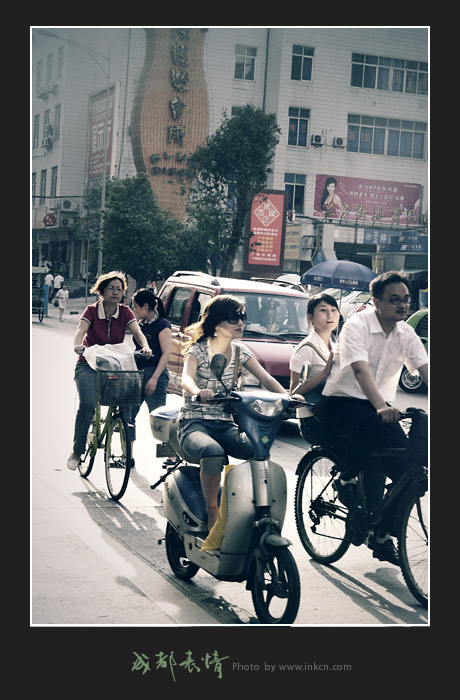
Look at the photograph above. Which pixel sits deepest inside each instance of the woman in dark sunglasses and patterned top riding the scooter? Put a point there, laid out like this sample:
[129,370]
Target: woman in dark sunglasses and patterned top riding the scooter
[206,431]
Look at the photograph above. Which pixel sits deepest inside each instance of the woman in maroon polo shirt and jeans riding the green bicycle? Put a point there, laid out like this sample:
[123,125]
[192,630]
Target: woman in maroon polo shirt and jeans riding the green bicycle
[102,323]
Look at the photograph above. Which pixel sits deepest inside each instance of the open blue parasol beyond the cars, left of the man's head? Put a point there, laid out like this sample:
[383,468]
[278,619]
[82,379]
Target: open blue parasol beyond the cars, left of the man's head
[340,274]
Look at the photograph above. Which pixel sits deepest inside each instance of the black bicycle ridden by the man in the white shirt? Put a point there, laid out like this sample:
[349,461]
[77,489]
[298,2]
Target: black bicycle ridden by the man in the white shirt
[327,528]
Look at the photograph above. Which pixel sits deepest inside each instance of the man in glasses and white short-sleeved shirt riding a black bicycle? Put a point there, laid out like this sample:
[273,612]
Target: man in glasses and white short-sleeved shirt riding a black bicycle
[372,349]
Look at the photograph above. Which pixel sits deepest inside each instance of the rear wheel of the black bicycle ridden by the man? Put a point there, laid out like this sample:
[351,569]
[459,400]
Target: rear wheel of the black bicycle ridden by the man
[320,516]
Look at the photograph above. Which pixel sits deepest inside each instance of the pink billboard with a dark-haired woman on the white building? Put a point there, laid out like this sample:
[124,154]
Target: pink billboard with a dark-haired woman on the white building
[360,200]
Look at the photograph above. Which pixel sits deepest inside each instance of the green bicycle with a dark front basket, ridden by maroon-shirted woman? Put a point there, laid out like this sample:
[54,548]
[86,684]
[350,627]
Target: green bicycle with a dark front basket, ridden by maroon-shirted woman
[115,389]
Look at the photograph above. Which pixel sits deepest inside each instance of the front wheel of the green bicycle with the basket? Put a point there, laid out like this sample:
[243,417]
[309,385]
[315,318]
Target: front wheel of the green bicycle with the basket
[117,455]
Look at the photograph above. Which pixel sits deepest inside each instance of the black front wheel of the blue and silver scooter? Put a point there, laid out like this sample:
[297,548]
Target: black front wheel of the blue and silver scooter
[276,594]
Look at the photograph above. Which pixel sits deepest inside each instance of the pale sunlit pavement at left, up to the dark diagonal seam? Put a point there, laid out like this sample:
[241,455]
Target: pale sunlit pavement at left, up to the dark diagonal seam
[85,572]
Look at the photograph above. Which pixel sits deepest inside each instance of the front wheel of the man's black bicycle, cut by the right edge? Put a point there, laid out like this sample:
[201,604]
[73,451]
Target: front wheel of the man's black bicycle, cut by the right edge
[413,545]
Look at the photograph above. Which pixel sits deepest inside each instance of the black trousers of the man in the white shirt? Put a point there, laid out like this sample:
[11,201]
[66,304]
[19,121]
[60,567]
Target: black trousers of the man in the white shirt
[364,431]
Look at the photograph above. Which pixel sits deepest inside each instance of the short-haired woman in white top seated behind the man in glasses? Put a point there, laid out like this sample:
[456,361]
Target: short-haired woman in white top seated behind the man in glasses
[317,349]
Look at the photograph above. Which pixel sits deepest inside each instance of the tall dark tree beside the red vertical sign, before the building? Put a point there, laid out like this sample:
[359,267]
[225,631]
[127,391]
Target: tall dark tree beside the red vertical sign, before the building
[227,173]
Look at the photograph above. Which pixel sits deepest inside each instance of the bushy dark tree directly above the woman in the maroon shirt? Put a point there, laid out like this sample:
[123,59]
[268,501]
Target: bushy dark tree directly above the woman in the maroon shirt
[139,237]
